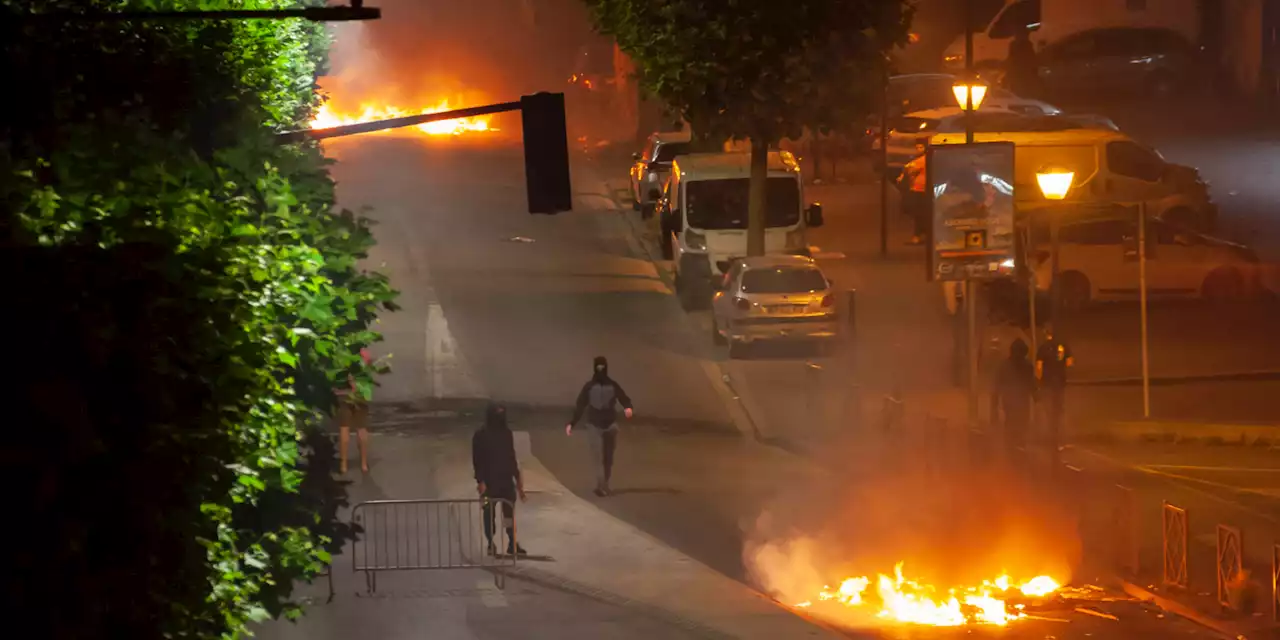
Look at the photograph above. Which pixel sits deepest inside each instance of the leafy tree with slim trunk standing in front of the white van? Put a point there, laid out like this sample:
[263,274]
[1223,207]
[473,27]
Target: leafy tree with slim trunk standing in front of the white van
[758,70]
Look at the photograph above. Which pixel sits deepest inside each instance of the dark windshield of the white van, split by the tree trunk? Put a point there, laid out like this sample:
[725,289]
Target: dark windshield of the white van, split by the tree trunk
[723,204]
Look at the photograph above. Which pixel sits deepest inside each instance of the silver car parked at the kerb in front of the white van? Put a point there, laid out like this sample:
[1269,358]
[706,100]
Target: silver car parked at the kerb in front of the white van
[774,298]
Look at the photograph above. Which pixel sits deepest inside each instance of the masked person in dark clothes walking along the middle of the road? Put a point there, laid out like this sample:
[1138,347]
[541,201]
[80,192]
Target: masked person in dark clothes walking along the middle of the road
[598,401]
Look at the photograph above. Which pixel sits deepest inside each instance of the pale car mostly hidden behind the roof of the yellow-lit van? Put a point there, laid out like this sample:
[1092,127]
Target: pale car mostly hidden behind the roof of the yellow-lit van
[920,129]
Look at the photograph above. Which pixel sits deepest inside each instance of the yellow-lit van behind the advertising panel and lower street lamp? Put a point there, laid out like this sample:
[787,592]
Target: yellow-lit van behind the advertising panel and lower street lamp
[1109,167]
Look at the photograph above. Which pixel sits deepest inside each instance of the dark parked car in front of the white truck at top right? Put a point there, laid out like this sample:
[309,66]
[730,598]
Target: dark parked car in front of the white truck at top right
[1107,62]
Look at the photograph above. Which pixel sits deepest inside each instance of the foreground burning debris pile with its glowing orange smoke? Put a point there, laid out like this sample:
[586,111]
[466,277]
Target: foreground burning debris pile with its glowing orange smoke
[968,547]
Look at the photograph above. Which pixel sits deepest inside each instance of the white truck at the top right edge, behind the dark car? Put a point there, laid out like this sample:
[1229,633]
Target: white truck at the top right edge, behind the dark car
[1050,21]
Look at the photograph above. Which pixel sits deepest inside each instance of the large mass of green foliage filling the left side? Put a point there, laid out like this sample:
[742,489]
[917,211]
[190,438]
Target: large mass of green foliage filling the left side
[195,303]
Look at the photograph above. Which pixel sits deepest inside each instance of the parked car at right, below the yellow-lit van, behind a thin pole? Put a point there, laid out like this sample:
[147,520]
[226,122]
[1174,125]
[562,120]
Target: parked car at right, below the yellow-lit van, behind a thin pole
[1099,263]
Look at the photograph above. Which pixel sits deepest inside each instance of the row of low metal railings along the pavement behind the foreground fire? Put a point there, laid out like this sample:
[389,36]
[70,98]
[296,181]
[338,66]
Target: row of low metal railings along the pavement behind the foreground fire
[1107,511]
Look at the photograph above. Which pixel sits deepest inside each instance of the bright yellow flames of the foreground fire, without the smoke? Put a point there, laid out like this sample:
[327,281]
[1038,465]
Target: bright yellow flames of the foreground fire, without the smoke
[908,601]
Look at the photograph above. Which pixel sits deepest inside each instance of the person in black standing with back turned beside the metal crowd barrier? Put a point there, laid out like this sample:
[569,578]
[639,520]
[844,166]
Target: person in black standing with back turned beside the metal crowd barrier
[493,458]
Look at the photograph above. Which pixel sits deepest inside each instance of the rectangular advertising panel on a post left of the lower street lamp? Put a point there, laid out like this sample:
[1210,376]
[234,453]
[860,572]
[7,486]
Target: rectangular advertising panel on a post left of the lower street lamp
[972,203]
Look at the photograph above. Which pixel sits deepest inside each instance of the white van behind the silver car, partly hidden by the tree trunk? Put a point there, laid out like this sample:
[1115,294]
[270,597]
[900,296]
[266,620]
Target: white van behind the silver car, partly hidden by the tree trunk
[703,217]
